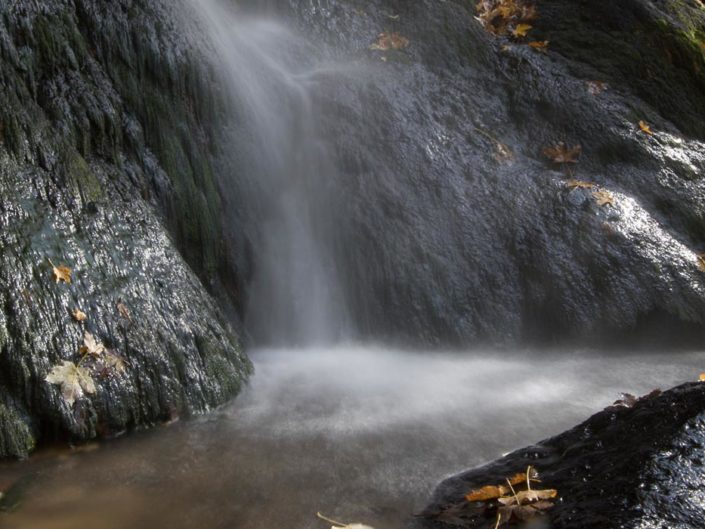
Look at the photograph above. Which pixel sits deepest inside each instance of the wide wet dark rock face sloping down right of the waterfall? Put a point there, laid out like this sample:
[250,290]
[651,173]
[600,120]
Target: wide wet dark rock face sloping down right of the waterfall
[442,240]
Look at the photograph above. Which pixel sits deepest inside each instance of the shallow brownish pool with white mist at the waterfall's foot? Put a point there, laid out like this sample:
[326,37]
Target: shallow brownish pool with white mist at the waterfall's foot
[360,434]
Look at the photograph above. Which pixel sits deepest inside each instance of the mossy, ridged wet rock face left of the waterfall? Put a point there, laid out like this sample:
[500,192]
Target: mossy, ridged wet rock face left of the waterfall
[104,167]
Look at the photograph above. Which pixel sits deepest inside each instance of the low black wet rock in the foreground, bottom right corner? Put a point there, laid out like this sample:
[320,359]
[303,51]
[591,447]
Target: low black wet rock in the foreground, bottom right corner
[622,468]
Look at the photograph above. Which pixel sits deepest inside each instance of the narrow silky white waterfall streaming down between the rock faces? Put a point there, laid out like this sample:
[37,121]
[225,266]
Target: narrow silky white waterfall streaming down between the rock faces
[282,177]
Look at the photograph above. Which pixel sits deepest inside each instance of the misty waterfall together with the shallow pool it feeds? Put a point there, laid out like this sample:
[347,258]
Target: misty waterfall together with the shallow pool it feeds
[358,433]
